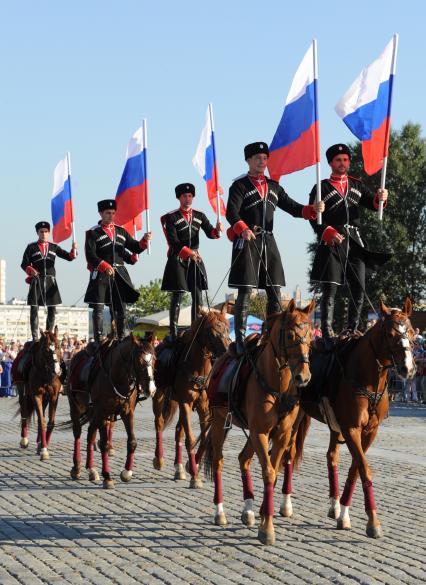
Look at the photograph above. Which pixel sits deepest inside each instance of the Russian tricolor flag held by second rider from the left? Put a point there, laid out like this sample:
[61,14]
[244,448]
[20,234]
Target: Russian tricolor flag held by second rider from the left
[132,194]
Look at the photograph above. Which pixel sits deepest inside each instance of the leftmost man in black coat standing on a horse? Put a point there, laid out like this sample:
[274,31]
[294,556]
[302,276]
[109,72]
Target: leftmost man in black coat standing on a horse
[39,263]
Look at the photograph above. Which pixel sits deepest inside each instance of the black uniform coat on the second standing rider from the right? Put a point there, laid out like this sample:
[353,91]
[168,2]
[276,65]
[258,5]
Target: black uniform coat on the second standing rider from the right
[246,204]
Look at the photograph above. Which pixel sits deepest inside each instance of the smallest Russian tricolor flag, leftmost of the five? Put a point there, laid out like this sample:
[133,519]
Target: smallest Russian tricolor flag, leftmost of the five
[62,211]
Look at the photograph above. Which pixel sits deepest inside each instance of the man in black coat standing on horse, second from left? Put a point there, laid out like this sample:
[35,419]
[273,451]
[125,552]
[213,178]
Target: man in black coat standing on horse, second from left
[106,251]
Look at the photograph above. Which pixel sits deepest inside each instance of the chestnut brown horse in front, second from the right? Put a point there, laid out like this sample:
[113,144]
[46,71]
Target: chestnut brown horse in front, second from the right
[280,367]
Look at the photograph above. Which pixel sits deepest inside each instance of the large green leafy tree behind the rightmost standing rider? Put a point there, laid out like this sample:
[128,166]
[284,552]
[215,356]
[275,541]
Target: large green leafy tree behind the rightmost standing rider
[404,220]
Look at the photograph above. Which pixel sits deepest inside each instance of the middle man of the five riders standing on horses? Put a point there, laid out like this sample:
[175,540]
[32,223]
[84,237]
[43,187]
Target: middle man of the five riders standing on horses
[185,270]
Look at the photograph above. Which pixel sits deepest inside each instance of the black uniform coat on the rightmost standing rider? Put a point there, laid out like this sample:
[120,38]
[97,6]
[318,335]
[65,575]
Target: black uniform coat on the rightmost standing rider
[342,213]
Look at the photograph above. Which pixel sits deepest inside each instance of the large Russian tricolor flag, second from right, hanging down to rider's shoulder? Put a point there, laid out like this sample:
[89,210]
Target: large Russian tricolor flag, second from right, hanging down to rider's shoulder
[296,141]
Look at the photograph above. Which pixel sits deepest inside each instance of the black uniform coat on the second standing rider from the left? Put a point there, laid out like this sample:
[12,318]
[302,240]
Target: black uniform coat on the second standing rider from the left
[100,247]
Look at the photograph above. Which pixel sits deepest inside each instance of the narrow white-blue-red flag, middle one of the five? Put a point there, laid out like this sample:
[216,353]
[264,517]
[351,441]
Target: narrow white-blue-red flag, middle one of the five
[205,162]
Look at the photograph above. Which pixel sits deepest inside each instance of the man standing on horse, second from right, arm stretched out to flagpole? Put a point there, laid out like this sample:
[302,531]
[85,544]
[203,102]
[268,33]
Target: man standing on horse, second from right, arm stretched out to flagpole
[256,261]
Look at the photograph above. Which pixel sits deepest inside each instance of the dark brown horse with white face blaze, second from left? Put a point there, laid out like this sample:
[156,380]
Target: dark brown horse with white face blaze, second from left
[121,372]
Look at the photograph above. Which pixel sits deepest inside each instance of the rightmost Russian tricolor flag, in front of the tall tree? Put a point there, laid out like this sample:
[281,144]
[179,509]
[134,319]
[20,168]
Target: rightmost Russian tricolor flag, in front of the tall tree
[366,107]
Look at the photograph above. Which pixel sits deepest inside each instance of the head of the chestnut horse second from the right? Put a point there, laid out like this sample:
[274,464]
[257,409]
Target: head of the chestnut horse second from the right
[291,332]
